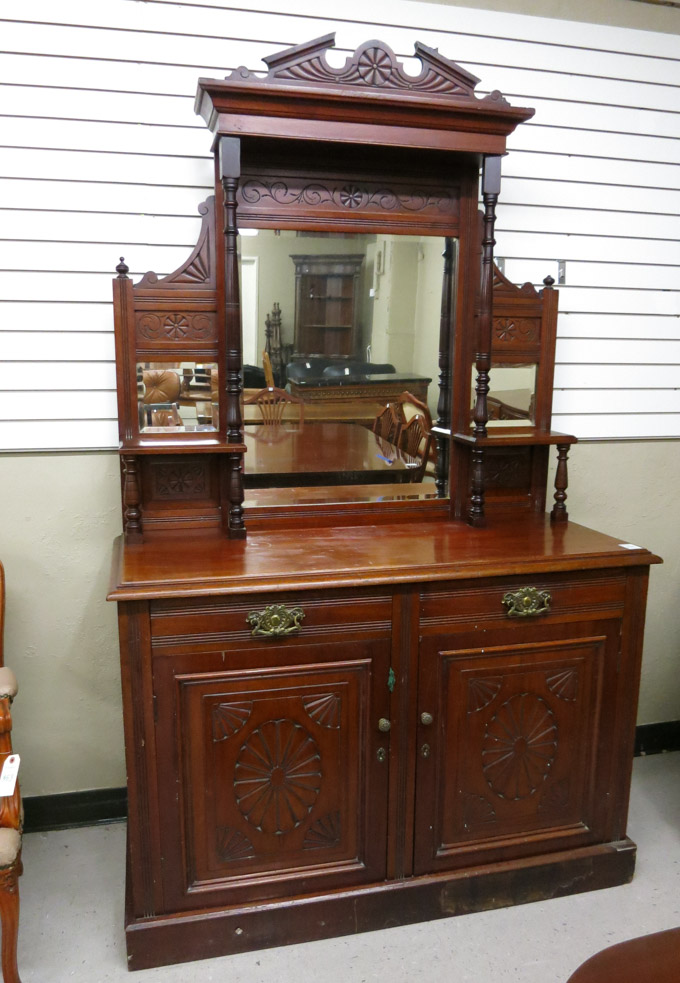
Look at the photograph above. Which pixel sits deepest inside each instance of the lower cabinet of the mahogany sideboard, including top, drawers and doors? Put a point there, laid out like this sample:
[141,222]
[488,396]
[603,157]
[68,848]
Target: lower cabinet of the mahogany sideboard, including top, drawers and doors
[432,737]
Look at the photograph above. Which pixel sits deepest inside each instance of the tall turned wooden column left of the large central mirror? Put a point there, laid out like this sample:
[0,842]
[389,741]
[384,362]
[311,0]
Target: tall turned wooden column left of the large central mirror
[230,172]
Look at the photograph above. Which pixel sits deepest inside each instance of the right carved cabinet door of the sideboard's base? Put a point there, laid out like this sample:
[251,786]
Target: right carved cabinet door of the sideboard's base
[515,760]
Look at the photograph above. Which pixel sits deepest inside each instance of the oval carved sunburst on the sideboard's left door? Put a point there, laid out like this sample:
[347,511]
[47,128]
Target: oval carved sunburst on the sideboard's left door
[277,776]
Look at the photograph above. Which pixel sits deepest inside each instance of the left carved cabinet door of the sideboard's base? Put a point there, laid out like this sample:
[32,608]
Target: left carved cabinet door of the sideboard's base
[281,786]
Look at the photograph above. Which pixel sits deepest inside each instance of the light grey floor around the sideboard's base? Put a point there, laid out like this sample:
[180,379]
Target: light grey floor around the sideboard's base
[72,917]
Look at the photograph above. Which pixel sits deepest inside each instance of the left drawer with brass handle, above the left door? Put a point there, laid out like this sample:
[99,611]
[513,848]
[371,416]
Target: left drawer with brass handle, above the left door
[205,624]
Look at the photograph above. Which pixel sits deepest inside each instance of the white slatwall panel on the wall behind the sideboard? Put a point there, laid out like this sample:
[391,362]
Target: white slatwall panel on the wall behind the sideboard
[101,155]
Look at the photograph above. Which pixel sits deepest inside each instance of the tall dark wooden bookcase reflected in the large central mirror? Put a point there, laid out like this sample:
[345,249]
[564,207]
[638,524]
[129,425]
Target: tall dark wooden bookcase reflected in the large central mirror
[326,304]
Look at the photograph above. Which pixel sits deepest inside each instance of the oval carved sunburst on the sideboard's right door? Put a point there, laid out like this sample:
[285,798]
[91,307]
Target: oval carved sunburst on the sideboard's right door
[519,746]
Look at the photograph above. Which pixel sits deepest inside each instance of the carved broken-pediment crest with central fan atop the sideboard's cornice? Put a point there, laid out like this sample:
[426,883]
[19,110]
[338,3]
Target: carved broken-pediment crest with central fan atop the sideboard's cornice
[373,65]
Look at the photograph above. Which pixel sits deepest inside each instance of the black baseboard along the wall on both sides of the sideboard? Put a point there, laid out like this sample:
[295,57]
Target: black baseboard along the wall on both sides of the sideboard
[109,805]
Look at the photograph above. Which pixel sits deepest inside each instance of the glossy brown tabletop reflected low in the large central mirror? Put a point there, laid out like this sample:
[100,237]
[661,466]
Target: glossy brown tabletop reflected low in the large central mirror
[321,454]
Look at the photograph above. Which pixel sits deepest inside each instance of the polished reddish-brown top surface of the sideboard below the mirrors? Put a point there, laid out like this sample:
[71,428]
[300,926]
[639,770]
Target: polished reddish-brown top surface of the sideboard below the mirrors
[202,564]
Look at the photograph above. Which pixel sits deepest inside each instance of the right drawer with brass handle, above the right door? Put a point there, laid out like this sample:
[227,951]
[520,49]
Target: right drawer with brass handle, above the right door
[554,597]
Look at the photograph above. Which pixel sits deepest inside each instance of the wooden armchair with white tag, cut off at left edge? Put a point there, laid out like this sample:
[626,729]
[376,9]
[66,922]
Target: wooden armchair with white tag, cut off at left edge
[10,820]
